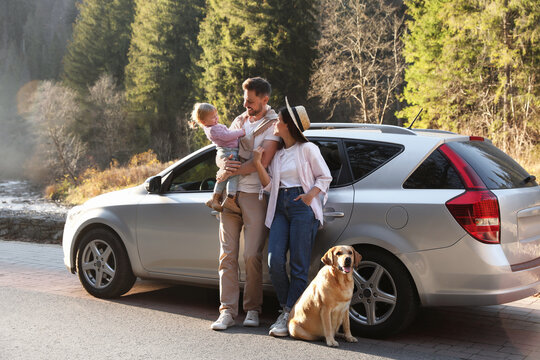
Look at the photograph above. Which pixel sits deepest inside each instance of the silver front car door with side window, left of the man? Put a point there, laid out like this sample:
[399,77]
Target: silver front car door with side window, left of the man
[176,232]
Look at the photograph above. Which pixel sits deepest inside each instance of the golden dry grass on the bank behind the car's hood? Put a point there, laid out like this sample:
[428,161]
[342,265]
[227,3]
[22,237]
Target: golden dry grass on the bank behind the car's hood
[93,182]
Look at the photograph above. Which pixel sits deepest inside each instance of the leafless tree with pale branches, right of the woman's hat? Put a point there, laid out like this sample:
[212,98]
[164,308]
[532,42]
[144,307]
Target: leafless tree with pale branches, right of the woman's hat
[360,62]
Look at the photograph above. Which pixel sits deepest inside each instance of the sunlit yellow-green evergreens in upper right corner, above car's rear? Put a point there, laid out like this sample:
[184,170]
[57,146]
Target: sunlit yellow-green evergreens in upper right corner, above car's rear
[474,67]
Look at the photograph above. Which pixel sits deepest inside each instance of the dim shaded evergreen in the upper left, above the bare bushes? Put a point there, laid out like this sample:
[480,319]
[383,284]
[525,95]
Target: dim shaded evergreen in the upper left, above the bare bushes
[101,37]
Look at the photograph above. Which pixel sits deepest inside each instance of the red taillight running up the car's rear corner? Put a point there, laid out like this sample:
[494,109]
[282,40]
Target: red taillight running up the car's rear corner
[476,210]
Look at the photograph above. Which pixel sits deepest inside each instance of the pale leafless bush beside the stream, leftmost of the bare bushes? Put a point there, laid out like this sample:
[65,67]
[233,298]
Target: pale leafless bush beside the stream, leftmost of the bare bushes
[59,151]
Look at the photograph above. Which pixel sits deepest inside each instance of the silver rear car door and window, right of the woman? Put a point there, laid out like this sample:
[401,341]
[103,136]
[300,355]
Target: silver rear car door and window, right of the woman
[338,208]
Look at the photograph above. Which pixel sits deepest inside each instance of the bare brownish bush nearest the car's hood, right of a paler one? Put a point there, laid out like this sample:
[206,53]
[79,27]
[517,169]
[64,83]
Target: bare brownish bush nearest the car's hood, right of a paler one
[109,124]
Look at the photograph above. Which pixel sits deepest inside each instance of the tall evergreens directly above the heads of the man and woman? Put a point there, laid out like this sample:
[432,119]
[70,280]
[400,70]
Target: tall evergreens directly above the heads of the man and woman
[273,39]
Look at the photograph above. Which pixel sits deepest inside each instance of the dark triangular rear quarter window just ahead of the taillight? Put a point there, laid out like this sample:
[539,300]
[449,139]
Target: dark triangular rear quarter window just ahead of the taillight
[435,172]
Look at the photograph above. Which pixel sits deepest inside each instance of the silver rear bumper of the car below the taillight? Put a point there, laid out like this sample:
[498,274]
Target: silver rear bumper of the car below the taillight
[470,273]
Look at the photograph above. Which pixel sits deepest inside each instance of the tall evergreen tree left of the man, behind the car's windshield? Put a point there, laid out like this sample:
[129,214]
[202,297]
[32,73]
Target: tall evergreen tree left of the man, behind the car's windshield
[161,71]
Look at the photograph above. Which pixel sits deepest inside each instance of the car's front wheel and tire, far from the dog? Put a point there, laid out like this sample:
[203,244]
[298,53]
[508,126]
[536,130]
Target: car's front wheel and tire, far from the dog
[103,265]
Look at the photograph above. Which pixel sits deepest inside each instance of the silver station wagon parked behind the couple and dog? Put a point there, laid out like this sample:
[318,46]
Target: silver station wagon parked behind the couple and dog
[440,219]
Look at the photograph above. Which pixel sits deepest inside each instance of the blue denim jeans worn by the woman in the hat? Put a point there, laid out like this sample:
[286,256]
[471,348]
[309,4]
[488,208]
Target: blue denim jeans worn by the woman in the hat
[293,229]
